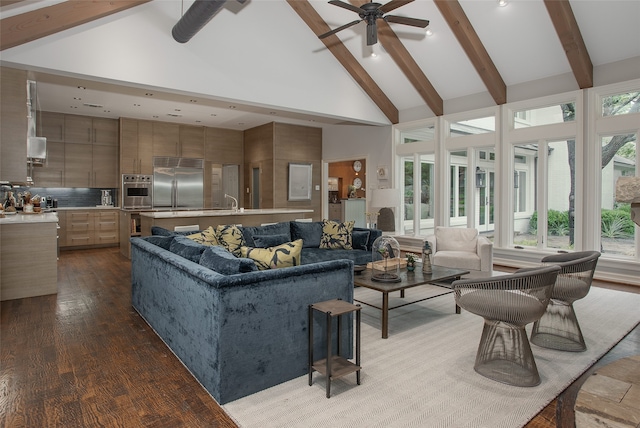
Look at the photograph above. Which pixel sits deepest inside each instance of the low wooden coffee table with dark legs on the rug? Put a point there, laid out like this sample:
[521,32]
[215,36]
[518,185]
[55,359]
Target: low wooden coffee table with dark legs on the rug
[440,276]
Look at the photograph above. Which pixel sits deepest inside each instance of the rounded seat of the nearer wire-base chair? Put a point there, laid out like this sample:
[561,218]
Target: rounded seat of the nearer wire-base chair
[511,306]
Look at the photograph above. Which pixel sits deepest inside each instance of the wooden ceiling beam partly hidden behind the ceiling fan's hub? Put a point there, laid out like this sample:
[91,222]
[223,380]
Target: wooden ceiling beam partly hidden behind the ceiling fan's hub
[407,64]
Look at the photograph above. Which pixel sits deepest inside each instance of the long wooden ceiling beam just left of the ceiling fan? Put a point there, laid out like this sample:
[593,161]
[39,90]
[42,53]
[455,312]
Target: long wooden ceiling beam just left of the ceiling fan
[315,22]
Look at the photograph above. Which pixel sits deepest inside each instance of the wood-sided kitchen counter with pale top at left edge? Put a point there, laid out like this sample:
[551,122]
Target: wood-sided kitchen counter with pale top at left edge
[28,255]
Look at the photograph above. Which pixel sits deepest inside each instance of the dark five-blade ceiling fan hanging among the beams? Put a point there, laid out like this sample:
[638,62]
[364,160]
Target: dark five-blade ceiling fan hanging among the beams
[371,12]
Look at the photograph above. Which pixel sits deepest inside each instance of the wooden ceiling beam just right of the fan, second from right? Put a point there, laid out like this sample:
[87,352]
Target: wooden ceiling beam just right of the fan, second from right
[470,42]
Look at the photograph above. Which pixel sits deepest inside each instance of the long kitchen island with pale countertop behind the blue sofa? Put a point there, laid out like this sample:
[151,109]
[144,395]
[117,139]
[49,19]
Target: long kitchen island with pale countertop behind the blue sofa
[202,219]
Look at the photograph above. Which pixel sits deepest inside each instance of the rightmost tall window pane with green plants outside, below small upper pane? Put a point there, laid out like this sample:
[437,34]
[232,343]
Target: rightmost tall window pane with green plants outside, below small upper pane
[619,159]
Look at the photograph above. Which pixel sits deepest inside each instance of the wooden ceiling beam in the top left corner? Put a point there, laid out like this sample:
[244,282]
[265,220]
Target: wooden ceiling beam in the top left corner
[49,20]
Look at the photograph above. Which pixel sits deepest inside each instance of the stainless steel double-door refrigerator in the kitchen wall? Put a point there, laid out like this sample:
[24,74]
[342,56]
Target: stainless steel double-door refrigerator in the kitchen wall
[178,183]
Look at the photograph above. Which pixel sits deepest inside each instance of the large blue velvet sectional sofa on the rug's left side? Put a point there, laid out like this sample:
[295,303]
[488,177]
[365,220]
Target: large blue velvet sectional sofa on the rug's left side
[240,332]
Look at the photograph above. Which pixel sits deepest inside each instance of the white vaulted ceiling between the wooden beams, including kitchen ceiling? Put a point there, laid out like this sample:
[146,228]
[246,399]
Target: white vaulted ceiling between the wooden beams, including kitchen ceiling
[262,59]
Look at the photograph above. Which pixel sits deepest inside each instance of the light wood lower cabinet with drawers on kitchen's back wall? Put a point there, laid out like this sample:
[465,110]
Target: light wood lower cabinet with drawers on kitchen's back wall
[90,228]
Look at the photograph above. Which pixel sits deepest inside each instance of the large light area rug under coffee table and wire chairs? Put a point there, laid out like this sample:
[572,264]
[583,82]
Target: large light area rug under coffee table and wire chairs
[422,375]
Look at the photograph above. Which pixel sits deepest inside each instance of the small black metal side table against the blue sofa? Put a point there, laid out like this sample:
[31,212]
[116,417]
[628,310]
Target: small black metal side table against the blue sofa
[334,366]
